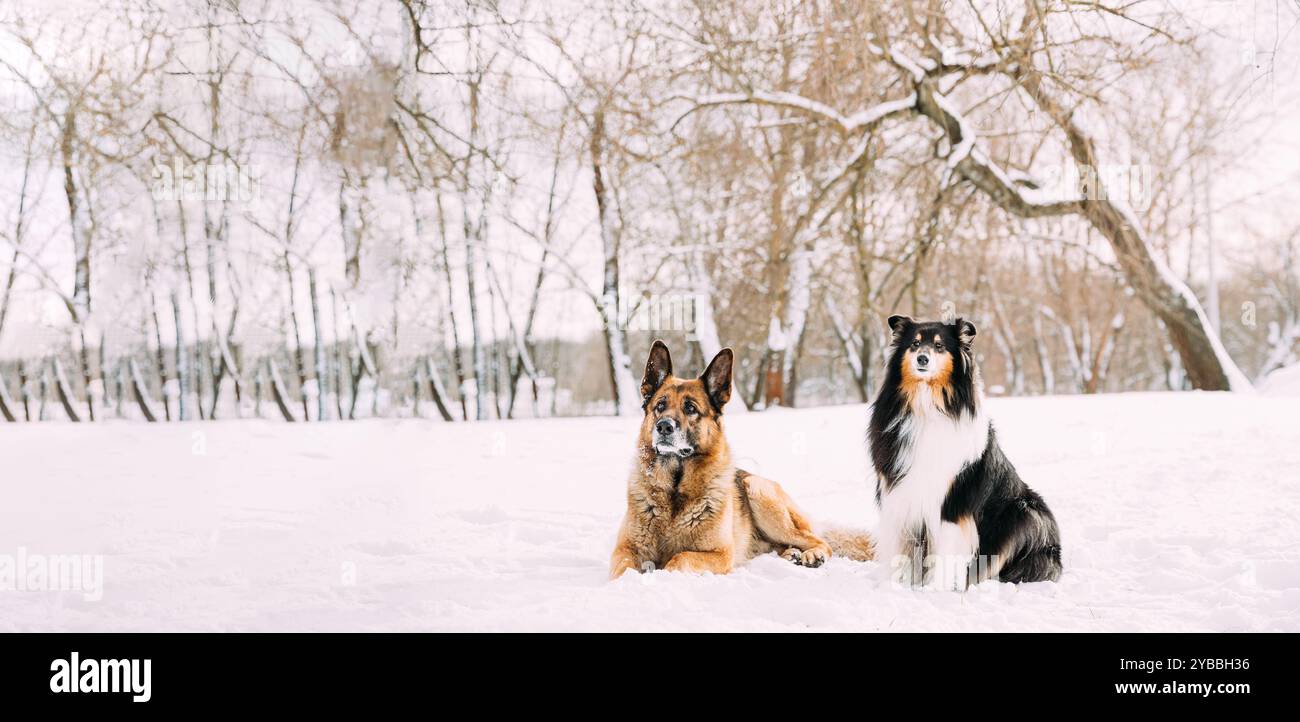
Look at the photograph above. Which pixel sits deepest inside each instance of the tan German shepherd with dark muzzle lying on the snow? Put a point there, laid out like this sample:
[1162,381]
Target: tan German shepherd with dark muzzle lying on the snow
[688,508]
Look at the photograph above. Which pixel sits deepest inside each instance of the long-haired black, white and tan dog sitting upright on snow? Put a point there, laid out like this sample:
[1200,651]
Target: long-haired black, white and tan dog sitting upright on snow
[954,512]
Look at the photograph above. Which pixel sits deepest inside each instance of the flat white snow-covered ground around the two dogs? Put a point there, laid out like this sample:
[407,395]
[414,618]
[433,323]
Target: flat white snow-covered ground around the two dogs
[1178,512]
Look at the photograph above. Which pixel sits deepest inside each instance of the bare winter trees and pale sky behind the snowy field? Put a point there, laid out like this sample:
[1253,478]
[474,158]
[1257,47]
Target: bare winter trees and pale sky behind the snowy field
[487,210]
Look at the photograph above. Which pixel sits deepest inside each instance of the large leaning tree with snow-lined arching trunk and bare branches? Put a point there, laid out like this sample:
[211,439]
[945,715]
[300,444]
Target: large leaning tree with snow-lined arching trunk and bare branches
[943,64]
